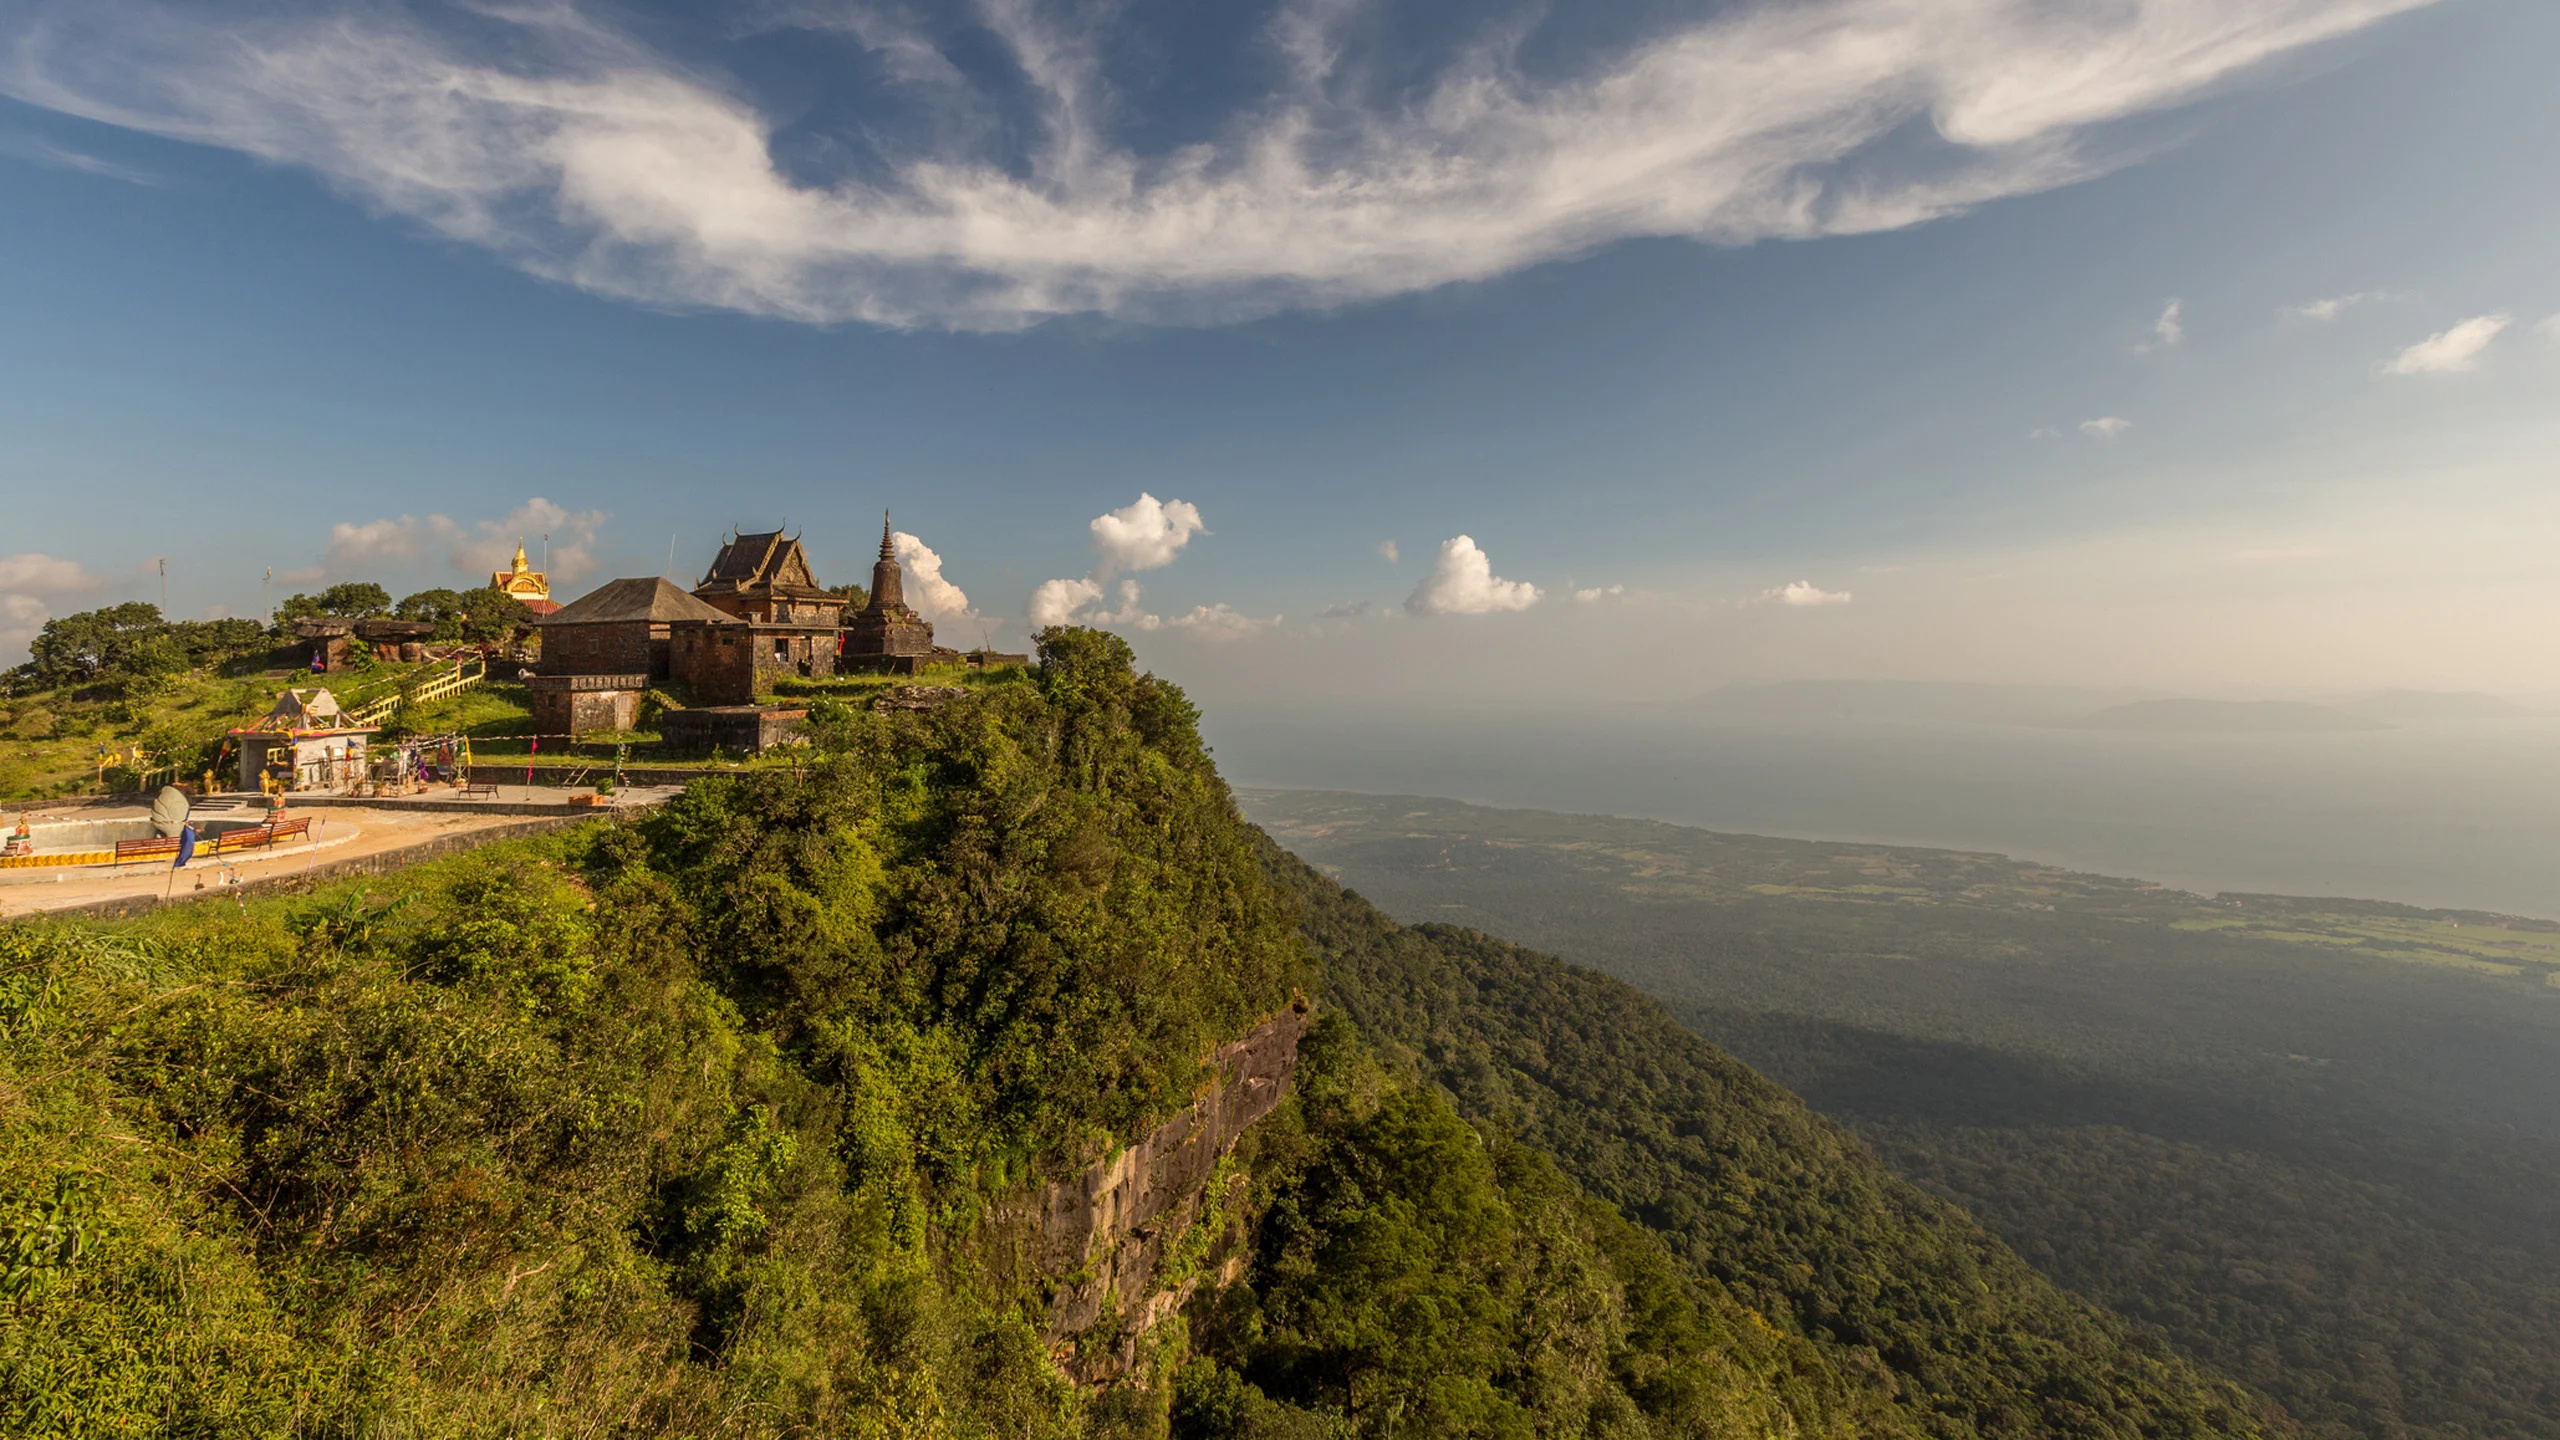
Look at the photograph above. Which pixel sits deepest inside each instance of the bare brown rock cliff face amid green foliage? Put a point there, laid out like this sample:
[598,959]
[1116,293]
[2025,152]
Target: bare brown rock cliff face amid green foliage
[1130,1236]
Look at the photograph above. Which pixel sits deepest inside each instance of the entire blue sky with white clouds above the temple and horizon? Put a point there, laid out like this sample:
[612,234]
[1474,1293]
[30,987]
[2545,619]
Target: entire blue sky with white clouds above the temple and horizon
[1919,340]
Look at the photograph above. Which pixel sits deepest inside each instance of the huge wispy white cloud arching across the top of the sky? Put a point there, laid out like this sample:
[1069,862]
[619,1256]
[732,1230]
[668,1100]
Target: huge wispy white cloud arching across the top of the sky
[575,150]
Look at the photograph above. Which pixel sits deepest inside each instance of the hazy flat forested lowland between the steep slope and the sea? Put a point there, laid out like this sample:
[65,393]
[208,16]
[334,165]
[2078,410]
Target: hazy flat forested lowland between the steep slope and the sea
[2313,1141]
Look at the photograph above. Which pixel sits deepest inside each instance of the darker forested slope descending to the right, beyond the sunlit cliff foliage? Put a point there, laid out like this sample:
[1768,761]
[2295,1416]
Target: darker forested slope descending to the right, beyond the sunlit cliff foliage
[1755,1193]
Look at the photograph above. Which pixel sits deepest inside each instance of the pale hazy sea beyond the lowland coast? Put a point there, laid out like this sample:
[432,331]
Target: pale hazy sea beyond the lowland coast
[2423,803]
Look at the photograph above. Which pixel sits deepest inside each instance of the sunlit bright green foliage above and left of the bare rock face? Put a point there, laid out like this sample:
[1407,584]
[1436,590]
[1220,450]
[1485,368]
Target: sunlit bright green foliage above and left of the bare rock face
[680,1124]
